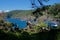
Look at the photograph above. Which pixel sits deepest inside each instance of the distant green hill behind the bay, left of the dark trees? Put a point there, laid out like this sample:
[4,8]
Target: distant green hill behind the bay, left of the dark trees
[18,13]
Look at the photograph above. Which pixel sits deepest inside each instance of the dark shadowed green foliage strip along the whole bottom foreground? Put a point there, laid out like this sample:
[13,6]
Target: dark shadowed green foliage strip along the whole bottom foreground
[51,35]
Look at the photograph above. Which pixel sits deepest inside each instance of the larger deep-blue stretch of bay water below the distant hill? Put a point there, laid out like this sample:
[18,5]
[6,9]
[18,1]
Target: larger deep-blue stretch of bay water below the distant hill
[20,23]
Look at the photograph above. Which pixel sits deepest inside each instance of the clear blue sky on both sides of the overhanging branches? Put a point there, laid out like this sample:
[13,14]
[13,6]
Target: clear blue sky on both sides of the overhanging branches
[20,4]
